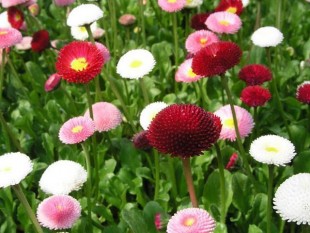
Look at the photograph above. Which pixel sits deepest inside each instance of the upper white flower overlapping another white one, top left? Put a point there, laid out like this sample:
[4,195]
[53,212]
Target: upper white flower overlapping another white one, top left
[84,14]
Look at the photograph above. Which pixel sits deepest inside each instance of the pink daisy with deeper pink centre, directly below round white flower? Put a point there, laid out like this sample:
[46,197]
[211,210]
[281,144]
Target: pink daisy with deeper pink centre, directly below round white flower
[58,212]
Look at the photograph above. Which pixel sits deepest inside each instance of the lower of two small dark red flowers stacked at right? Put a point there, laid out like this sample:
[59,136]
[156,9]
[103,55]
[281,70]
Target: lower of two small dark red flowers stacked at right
[255,96]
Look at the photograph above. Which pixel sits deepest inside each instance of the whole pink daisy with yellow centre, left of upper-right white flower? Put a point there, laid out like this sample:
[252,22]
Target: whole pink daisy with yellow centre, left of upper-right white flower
[224,22]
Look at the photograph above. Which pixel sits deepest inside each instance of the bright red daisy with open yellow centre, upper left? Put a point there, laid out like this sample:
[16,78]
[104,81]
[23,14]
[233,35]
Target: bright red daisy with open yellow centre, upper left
[79,62]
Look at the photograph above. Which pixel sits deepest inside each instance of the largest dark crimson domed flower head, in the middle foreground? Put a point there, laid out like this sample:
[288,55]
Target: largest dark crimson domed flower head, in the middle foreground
[184,130]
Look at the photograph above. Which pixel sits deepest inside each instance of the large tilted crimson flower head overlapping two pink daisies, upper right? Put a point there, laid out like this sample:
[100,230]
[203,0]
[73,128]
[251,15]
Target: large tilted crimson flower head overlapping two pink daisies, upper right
[216,58]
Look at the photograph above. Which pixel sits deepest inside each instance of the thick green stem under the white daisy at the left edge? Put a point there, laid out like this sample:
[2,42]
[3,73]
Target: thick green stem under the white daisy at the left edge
[22,198]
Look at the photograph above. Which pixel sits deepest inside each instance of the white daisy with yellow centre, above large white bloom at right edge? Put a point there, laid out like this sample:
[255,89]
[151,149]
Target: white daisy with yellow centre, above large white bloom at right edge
[272,149]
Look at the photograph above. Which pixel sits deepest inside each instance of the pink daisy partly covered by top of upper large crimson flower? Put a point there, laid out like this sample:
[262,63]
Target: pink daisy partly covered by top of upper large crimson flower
[199,39]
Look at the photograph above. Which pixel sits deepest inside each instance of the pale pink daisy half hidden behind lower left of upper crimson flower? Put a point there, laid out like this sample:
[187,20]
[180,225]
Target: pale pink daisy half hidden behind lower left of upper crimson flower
[185,73]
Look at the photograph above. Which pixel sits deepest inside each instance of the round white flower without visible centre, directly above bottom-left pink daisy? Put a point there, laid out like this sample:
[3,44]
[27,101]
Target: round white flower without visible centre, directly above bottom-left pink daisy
[63,177]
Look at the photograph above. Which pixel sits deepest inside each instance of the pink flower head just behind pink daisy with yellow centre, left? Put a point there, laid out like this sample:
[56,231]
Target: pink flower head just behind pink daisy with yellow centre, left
[106,116]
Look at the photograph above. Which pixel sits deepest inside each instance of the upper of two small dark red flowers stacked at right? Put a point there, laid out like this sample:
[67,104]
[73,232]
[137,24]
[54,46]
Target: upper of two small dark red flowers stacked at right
[255,74]
